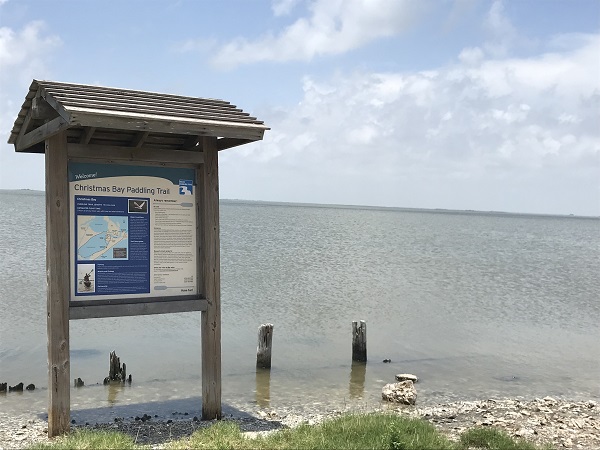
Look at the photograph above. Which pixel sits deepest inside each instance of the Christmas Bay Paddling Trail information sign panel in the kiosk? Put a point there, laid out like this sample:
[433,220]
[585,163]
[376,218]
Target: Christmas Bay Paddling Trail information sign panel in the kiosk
[133,231]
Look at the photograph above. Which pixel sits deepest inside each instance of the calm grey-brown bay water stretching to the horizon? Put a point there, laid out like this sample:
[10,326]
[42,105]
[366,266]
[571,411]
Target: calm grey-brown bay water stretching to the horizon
[476,304]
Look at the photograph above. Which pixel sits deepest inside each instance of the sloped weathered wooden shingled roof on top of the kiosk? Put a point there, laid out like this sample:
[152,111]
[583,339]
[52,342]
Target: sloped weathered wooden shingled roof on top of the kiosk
[96,115]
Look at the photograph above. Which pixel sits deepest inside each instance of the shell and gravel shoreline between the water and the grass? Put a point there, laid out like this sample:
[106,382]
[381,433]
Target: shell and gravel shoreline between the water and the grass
[561,423]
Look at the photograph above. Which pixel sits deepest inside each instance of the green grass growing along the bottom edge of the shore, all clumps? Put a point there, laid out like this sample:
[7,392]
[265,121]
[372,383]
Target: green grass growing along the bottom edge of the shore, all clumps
[367,431]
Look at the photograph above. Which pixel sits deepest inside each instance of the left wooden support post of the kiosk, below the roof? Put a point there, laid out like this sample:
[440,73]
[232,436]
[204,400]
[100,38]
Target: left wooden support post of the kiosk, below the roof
[57,272]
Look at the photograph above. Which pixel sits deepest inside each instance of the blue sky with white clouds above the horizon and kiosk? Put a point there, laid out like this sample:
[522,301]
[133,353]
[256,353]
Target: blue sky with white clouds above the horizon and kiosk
[464,104]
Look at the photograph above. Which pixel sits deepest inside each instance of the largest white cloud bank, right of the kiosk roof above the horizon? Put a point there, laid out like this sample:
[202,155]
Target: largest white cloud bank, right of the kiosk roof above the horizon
[503,121]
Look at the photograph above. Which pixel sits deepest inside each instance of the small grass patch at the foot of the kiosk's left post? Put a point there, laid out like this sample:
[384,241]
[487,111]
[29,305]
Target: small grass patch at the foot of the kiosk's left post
[87,439]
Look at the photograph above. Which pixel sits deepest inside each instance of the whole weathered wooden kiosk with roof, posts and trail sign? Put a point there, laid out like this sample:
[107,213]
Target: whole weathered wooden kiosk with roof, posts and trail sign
[132,213]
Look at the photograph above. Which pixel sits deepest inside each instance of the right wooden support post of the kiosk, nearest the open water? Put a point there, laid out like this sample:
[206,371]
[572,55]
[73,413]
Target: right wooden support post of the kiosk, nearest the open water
[211,318]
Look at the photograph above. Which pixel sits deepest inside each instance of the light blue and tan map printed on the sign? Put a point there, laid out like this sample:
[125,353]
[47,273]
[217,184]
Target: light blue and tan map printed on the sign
[102,237]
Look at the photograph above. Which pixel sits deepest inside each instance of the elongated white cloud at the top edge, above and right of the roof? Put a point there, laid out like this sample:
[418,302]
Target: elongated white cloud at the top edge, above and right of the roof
[333,27]
